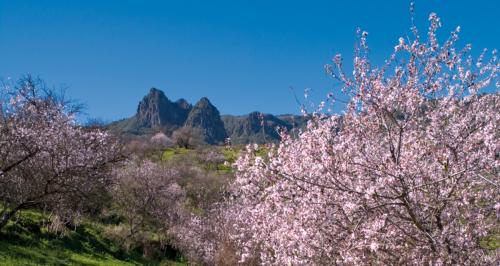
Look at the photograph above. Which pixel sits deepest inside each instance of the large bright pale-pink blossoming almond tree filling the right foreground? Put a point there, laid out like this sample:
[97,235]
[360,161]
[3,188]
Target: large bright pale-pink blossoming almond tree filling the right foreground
[407,175]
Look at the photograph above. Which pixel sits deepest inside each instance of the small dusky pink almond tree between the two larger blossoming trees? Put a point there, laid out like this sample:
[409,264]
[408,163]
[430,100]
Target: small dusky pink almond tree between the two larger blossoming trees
[148,196]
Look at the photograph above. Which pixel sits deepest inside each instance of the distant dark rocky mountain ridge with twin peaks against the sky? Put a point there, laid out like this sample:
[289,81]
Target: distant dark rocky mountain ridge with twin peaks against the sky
[156,112]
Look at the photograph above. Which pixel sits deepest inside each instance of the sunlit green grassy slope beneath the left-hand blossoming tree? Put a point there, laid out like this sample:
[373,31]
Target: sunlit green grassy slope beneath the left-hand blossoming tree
[28,242]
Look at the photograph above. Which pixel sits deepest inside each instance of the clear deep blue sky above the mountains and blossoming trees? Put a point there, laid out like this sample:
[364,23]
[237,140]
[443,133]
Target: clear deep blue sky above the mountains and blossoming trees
[243,55]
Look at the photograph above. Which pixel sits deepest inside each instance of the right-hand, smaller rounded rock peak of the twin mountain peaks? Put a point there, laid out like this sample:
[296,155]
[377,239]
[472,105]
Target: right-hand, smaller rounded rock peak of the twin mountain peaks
[206,117]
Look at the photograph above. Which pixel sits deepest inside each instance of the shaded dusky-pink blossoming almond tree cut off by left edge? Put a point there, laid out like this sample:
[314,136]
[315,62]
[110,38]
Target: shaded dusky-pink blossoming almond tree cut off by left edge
[46,160]
